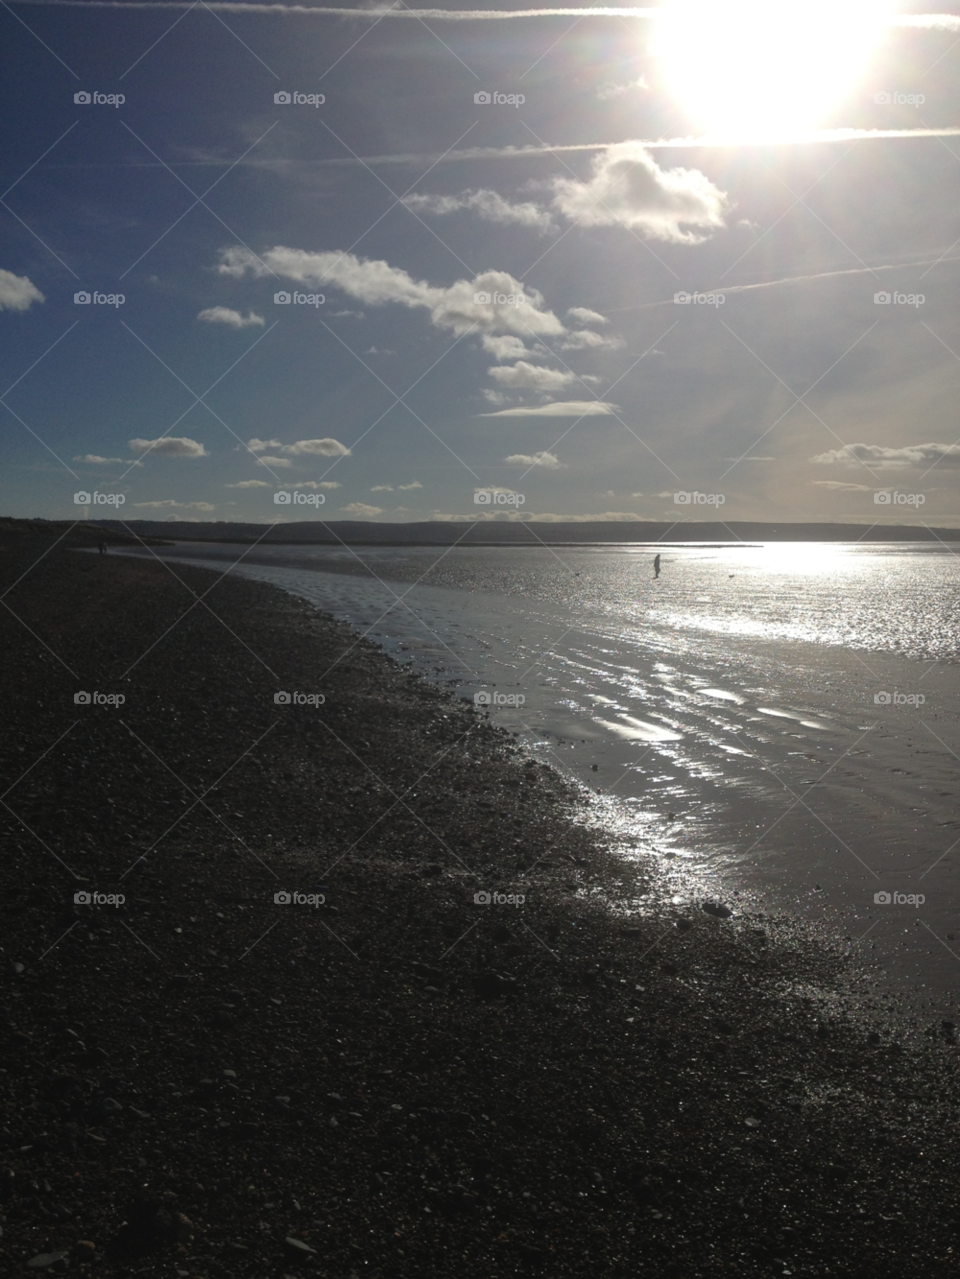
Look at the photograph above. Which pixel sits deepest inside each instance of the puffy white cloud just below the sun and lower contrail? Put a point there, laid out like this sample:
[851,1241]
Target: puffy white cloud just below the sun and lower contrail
[628,189]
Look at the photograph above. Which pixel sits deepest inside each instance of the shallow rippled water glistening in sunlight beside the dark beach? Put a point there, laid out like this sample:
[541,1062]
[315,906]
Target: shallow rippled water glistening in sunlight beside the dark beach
[733,714]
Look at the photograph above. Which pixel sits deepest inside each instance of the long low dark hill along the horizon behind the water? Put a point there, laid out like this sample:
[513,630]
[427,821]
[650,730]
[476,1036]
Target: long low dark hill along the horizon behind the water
[502,534]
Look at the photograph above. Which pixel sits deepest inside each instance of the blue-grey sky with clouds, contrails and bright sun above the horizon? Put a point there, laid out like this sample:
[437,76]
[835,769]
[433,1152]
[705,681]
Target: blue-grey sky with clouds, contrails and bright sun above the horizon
[683,263]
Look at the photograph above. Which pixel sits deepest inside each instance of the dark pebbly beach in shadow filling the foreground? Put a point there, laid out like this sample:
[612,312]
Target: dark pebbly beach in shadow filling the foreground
[468,1090]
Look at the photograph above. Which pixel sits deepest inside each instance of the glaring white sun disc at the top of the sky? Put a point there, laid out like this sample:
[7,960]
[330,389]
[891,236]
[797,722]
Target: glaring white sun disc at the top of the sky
[766,68]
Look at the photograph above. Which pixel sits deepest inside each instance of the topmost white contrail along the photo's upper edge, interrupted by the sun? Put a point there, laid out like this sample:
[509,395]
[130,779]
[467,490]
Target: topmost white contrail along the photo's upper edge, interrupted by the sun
[927,21]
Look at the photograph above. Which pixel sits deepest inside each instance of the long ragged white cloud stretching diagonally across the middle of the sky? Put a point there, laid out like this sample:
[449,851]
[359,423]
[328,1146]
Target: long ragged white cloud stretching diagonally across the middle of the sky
[376,283]
